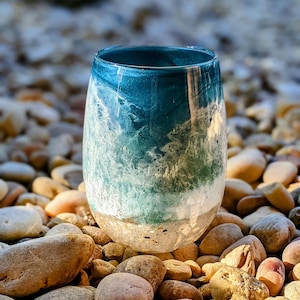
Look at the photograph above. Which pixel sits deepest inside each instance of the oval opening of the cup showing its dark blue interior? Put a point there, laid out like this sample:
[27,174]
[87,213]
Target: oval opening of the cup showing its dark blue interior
[156,56]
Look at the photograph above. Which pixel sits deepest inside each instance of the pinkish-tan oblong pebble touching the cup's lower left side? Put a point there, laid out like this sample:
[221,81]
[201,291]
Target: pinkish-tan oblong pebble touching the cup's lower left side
[68,201]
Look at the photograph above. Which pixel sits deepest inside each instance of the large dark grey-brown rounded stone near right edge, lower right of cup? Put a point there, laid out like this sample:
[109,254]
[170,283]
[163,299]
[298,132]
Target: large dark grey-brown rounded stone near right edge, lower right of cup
[274,231]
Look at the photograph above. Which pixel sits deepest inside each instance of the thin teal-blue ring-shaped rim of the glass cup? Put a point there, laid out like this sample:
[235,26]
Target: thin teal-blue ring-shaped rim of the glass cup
[100,59]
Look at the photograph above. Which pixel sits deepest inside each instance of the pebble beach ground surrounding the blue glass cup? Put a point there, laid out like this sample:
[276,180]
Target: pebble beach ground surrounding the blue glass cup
[50,246]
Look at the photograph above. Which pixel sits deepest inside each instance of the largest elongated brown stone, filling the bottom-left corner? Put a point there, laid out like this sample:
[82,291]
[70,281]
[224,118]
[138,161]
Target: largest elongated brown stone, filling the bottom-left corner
[43,263]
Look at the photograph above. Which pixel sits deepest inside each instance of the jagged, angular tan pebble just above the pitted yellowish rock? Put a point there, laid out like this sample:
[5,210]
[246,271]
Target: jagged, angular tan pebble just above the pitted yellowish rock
[241,257]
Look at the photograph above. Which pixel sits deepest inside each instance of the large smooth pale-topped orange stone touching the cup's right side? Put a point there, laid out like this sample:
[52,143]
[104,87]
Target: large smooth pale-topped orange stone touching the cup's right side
[247,165]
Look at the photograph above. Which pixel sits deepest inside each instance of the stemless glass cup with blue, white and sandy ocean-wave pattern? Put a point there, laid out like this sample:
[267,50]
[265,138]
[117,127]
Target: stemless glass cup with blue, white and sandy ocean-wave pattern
[154,144]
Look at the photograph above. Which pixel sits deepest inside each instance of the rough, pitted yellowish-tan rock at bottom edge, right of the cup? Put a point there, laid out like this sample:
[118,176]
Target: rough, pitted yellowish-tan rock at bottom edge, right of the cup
[233,283]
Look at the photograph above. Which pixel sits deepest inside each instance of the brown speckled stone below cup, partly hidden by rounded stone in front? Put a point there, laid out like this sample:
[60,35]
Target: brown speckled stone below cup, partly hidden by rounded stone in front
[149,267]
